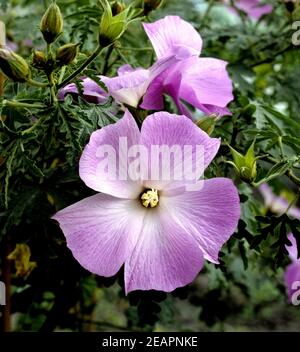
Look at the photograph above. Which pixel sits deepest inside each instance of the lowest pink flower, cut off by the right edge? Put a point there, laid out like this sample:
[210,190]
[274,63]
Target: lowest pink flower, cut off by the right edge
[292,273]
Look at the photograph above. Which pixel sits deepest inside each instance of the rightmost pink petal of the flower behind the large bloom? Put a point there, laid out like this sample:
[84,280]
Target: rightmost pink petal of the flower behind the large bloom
[205,81]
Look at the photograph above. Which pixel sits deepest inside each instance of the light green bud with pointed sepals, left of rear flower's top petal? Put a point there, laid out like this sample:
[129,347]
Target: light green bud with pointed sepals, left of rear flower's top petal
[111,27]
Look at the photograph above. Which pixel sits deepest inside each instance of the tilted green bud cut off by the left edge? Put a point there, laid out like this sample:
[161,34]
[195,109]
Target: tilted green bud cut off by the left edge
[14,66]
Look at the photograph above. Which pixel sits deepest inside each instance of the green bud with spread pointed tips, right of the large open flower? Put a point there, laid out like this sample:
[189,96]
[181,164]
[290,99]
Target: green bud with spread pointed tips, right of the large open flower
[245,165]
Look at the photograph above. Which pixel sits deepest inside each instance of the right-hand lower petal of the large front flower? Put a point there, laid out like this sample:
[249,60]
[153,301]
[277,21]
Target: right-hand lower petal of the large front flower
[210,214]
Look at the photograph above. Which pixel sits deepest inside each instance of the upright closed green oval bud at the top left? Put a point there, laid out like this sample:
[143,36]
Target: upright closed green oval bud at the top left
[52,23]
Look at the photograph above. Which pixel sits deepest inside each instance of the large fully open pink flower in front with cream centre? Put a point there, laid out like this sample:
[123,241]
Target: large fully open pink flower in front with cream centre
[161,231]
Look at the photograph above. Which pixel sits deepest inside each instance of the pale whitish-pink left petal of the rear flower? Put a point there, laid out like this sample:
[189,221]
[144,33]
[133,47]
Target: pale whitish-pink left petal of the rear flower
[131,84]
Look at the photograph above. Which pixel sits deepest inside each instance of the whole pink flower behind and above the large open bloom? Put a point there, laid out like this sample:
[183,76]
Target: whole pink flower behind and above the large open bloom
[178,72]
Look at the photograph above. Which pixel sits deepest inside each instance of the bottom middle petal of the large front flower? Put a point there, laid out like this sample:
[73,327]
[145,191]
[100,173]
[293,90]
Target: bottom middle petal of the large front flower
[165,256]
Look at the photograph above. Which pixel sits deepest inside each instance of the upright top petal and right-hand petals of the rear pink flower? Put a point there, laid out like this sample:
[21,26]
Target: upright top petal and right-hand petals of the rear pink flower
[202,82]
